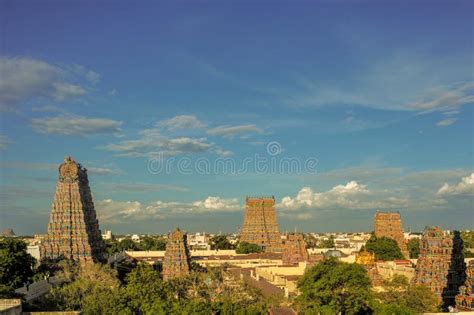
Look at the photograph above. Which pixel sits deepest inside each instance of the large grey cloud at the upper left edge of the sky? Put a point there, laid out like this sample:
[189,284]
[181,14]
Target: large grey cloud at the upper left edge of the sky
[23,79]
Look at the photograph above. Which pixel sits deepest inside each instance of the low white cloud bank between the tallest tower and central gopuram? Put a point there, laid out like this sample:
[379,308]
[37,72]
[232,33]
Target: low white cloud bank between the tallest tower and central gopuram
[116,211]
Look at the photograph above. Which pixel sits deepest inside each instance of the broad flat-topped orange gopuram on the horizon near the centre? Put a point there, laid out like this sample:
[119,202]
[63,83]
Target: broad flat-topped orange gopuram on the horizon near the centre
[260,224]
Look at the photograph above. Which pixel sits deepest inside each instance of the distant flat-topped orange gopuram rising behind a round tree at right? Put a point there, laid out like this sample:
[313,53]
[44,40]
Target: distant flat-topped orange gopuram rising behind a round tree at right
[389,224]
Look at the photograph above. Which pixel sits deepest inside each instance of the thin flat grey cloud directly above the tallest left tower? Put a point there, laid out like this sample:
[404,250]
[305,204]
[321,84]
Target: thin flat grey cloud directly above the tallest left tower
[76,125]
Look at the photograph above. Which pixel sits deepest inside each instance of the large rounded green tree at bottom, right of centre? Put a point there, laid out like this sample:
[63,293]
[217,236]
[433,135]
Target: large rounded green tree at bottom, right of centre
[332,286]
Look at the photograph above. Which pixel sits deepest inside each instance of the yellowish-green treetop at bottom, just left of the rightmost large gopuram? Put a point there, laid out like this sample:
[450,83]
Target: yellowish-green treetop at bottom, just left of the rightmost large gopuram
[409,299]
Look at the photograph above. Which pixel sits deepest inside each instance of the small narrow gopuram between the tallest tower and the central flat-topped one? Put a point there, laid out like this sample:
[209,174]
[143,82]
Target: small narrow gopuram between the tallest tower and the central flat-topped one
[176,262]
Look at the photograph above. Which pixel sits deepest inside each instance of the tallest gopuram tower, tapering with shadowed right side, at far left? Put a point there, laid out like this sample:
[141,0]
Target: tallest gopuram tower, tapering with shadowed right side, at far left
[73,229]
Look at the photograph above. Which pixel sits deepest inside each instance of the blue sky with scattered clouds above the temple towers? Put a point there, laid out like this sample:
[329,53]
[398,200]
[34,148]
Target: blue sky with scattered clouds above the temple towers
[181,109]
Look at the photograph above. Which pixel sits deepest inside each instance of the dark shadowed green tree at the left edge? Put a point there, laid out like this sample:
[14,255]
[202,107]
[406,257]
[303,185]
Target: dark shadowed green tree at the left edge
[16,265]
